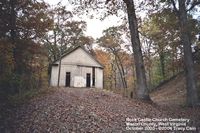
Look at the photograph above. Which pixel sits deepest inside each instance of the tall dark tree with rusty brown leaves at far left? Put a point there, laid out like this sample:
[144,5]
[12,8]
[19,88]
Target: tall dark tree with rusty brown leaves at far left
[23,24]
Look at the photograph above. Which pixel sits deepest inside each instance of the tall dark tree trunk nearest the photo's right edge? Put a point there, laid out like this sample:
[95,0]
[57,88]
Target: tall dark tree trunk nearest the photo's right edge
[192,95]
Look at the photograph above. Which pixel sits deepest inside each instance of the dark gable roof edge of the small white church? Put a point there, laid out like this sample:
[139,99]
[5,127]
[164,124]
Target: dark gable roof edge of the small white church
[74,49]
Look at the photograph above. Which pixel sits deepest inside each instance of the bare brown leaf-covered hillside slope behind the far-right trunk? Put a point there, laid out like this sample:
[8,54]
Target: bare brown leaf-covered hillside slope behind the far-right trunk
[173,92]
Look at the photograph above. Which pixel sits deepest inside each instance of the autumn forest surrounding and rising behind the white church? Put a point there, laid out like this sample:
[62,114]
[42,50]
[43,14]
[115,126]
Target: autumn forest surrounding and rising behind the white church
[138,55]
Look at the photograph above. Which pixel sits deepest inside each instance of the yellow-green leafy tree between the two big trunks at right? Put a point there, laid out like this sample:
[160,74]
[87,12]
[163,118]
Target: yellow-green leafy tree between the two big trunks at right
[160,32]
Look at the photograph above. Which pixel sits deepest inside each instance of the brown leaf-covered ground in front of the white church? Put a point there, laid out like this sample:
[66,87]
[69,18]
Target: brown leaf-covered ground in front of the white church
[86,110]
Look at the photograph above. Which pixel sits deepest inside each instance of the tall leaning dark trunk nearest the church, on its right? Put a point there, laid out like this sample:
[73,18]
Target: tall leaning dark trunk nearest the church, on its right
[142,90]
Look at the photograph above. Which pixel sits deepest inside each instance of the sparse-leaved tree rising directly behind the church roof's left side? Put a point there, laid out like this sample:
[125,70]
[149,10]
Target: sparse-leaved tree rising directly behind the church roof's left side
[65,31]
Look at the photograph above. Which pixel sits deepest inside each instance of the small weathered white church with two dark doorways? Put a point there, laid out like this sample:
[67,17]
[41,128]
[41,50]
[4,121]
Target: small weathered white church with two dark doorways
[78,69]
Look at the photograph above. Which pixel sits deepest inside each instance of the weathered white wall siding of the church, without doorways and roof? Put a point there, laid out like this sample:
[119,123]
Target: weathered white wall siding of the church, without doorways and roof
[78,63]
